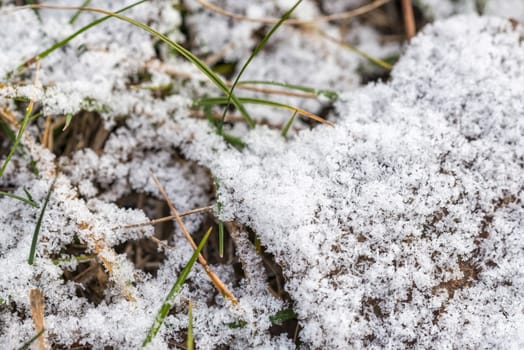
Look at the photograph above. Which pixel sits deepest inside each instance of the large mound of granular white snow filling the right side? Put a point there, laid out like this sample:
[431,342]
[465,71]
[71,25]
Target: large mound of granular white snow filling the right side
[371,219]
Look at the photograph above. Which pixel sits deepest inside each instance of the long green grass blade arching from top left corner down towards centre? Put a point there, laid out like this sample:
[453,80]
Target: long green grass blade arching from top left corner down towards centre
[175,46]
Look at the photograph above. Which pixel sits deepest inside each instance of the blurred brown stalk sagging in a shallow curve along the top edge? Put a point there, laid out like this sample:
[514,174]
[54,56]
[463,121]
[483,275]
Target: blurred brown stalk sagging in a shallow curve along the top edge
[335,17]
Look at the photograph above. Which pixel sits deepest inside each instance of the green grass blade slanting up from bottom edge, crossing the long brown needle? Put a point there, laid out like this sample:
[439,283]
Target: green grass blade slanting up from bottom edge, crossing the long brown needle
[170,298]
